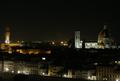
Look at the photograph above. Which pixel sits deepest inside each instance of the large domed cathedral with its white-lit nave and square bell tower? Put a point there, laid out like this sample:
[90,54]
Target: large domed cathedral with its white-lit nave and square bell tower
[104,40]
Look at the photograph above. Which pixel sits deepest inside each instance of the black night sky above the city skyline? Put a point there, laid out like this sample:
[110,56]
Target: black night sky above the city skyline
[49,20]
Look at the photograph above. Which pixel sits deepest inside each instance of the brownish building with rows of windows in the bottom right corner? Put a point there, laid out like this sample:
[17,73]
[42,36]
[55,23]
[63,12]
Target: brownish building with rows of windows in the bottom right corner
[108,73]
